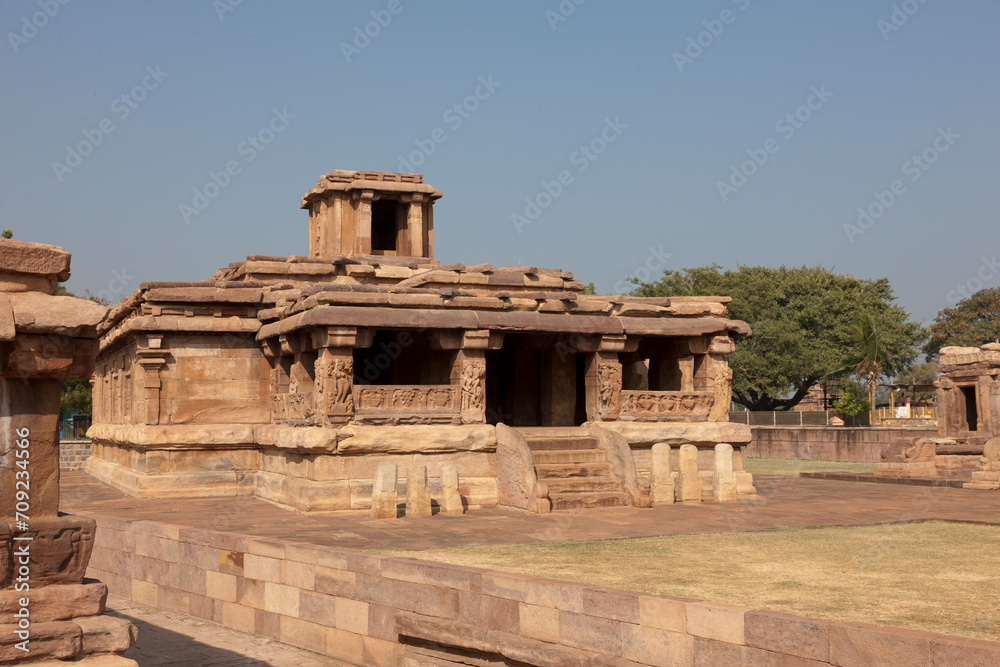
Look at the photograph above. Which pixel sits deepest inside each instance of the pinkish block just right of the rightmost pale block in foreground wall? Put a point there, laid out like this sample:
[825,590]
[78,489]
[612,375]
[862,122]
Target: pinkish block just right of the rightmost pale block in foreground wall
[787,633]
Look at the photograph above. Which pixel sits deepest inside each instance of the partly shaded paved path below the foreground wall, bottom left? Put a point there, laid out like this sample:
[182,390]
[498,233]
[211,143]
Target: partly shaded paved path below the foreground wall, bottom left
[168,638]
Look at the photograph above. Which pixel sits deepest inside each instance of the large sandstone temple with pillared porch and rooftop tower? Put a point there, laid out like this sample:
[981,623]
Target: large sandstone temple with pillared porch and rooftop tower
[293,378]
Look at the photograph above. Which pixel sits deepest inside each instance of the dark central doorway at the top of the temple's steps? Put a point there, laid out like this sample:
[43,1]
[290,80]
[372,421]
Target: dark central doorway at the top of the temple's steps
[534,381]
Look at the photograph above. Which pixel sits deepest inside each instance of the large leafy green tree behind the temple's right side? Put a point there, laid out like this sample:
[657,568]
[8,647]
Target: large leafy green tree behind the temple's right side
[801,319]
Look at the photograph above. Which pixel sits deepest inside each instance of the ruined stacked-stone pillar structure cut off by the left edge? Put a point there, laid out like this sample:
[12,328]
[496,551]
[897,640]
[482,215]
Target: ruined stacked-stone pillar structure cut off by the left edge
[46,609]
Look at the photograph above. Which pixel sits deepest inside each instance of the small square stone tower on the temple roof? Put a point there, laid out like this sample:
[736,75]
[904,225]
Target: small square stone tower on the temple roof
[371,213]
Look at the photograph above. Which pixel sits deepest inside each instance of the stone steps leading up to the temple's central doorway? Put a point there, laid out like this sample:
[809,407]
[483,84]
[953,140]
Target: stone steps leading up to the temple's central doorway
[575,469]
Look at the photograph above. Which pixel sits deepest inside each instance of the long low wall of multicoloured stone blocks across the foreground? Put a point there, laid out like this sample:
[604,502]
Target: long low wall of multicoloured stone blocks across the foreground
[381,611]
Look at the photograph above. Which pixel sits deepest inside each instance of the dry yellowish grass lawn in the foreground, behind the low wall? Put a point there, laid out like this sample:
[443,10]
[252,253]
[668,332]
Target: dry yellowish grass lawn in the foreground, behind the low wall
[940,577]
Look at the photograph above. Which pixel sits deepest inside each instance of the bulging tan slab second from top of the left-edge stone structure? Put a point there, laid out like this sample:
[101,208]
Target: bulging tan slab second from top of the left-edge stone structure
[35,312]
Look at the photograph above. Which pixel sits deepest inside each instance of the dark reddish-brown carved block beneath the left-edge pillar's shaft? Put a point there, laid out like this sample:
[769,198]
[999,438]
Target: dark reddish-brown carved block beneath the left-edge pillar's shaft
[60,548]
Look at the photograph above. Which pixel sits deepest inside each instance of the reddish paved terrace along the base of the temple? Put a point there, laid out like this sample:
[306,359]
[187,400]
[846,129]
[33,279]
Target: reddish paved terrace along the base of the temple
[784,502]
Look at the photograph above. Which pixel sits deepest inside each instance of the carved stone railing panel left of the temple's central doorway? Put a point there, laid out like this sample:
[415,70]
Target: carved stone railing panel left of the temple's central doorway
[408,404]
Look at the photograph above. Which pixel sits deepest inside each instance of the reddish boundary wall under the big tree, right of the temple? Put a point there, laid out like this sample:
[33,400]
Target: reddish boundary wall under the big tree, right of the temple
[827,443]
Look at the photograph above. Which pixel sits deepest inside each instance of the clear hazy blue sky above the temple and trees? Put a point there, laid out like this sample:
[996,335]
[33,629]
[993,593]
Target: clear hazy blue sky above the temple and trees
[655,185]
